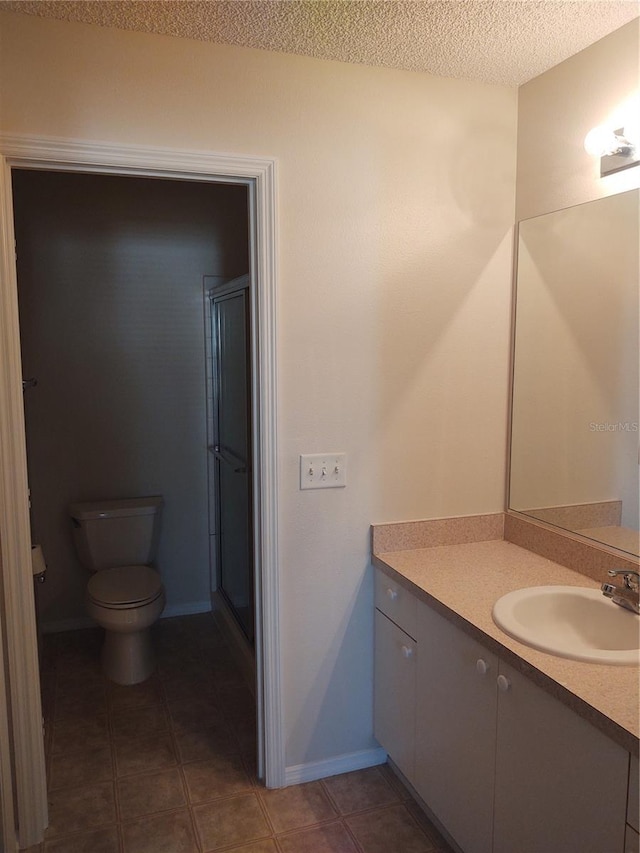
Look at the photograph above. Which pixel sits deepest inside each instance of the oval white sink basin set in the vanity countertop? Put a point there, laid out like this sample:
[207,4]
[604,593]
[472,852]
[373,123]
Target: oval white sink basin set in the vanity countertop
[571,622]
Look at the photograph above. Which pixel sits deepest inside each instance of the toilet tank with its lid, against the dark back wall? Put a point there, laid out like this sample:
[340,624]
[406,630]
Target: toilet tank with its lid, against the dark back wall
[116,533]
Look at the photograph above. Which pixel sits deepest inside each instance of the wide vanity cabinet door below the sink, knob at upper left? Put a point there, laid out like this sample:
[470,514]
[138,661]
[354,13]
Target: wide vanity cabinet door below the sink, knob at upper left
[560,783]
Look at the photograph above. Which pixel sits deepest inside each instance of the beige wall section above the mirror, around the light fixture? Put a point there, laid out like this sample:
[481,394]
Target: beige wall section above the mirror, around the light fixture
[599,85]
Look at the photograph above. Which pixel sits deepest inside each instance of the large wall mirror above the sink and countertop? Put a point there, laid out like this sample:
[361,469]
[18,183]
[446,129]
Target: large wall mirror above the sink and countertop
[575,409]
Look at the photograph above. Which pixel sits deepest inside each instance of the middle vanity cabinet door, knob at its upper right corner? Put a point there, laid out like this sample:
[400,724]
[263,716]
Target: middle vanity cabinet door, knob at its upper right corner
[456,701]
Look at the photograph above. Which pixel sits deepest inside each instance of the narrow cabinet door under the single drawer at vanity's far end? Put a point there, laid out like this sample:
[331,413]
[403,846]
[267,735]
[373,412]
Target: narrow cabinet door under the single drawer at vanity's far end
[395,693]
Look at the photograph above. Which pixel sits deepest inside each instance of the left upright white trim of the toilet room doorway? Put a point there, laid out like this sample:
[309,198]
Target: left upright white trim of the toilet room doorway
[20,642]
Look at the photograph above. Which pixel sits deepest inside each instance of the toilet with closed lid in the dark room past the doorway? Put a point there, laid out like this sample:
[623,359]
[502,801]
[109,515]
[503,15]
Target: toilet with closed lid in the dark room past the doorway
[116,541]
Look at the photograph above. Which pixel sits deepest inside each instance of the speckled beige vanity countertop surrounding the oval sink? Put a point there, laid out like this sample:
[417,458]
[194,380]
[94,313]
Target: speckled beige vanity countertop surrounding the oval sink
[463,581]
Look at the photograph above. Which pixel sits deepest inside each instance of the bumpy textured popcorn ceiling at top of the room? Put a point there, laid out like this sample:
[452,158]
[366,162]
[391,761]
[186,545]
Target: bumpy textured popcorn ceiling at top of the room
[498,42]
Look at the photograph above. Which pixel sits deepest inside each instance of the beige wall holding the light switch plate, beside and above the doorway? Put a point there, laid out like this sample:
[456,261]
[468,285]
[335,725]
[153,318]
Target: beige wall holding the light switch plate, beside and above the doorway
[396,202]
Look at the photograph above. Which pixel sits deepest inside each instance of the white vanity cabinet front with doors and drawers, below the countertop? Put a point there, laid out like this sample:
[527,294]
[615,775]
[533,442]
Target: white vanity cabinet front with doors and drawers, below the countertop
[500,763]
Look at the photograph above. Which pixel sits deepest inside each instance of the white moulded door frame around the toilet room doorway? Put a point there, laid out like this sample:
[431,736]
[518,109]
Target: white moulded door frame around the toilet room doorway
[260,176]
